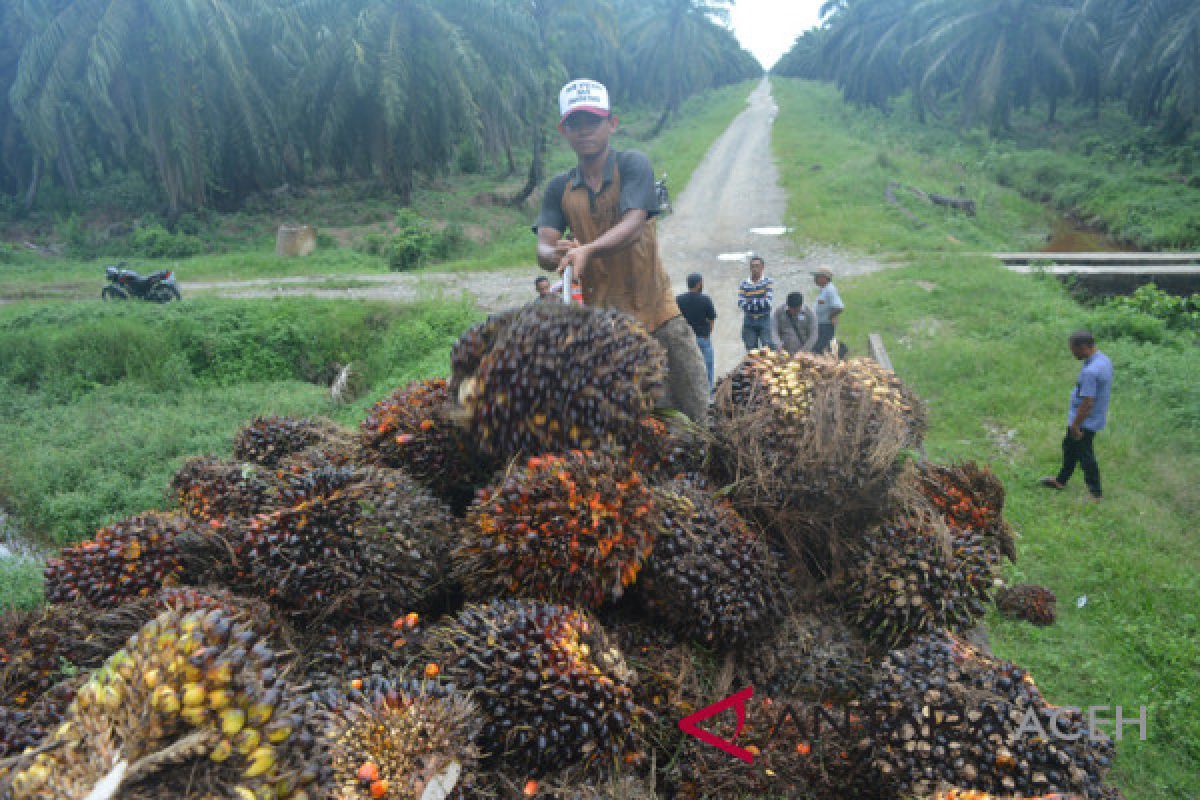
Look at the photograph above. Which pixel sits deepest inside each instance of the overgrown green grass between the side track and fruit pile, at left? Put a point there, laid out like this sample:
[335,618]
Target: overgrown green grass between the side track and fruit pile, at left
[99,406]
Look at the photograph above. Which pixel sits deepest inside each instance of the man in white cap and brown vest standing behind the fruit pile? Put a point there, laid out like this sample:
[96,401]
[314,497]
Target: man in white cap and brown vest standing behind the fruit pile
[609,204]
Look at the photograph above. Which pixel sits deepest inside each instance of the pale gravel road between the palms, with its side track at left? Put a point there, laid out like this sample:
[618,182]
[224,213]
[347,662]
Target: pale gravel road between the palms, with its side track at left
[735,189]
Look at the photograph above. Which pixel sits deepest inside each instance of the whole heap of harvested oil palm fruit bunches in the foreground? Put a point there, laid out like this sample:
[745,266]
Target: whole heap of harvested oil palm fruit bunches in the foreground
[518,581]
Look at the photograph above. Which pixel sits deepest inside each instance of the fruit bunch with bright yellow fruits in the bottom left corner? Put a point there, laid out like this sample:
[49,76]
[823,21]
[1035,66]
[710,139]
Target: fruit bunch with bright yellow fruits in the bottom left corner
[197,688]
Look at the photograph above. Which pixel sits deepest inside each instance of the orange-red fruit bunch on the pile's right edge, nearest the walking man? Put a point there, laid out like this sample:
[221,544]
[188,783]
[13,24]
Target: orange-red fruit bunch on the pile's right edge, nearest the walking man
[970,496]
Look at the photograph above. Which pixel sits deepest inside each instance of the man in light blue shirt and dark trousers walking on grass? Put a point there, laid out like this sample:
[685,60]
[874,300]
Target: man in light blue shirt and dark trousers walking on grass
[1088,416]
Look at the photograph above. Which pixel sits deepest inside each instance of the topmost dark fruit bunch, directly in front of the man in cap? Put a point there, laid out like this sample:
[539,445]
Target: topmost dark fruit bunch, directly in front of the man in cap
[549,378]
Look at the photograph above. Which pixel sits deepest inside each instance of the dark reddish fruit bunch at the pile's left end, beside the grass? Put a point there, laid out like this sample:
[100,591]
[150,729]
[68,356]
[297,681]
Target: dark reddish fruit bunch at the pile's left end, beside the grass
[131,558]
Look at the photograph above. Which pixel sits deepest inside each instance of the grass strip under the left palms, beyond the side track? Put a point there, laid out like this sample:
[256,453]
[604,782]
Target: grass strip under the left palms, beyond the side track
[242,245]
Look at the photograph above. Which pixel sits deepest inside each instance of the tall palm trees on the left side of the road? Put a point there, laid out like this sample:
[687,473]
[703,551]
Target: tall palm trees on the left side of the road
[215,100]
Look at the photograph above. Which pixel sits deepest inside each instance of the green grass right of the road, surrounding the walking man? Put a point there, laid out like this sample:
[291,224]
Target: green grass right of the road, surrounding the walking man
[987,350]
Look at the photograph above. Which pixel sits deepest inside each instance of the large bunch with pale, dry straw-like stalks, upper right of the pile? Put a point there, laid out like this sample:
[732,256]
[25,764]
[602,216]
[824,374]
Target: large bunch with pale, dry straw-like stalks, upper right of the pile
[809,449]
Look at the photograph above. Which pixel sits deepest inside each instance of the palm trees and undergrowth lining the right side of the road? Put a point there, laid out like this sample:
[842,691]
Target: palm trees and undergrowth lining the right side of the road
[1090,106]
